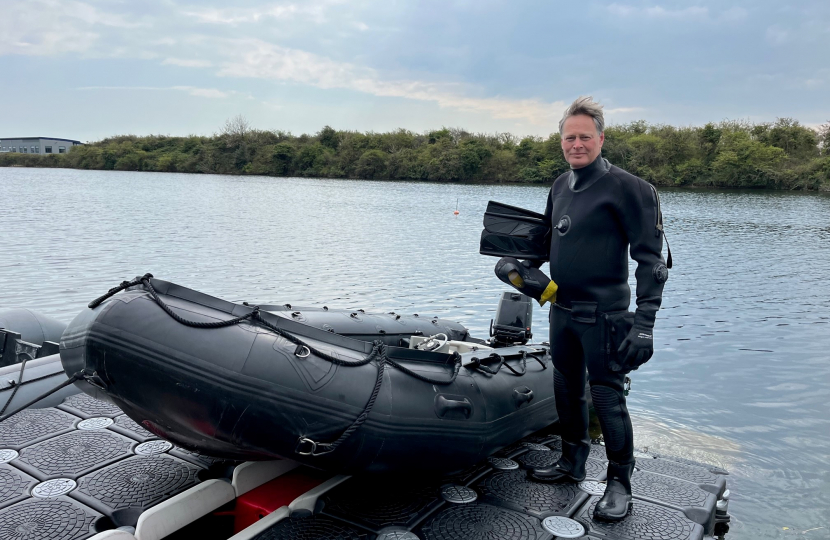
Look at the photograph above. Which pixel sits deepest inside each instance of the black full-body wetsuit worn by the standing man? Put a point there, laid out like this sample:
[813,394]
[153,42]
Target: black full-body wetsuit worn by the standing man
[598,212]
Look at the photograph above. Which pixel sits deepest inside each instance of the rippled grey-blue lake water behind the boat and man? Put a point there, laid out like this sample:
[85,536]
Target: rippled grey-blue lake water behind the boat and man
[740,378]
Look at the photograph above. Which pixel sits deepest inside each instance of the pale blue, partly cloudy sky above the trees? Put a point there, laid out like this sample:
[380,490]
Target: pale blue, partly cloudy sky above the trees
[92,69]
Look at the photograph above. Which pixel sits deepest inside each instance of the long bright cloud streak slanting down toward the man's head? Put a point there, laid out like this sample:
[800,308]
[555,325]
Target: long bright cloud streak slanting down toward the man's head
[251,58]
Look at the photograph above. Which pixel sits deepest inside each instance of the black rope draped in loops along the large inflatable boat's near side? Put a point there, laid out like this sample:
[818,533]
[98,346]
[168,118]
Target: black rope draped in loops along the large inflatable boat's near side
[379,353]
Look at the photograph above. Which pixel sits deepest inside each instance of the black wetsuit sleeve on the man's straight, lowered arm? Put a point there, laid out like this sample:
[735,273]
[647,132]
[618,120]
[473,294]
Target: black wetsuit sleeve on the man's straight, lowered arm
[640,215]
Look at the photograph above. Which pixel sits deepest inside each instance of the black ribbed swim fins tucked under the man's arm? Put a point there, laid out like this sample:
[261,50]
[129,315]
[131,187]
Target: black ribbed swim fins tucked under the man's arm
[510,231]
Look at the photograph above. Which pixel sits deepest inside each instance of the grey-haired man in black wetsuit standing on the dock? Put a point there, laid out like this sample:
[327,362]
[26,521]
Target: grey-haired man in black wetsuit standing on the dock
[598,211]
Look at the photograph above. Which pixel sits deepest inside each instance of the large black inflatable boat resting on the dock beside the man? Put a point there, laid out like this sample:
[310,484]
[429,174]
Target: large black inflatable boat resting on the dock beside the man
[344,391]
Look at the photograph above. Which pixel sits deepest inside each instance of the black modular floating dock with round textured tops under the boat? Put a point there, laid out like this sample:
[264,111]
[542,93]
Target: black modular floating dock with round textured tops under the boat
[84,470]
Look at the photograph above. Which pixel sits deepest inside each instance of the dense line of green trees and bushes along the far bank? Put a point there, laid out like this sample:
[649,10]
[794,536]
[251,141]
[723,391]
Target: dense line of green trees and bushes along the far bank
[732,154]
